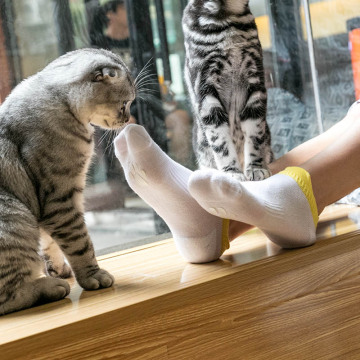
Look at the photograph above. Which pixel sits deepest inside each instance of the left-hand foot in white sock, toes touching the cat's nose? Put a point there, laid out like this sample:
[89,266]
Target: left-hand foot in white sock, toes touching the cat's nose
[162,183]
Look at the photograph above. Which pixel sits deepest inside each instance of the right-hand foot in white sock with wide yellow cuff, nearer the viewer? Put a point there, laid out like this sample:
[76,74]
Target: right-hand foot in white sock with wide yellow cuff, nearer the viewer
[282,206]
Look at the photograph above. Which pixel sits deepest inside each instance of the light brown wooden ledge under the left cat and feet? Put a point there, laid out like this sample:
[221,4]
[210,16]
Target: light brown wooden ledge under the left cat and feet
[257,302]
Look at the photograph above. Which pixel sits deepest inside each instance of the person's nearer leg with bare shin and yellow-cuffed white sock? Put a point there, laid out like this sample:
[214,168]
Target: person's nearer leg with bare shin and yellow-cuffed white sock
[280,205]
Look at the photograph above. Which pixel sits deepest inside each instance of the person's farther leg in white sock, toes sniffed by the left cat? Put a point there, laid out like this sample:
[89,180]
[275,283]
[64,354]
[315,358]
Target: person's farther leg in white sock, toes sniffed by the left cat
[163,194]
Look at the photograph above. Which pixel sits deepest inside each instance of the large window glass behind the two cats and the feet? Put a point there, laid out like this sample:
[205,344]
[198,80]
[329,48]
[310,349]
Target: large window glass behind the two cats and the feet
[312,77]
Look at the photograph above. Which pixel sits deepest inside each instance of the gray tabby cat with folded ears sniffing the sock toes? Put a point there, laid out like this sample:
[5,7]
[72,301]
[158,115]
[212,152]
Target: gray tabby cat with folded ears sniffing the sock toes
[46,142]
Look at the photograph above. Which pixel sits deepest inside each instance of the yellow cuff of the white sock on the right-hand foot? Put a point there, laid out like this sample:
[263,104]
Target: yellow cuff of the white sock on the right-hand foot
[303,179]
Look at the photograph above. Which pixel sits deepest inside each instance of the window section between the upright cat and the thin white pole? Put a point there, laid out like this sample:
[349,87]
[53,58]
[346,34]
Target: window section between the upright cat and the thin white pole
[291,105]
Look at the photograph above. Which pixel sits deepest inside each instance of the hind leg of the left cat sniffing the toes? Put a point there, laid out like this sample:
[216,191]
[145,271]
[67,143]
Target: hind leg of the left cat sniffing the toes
[22,280]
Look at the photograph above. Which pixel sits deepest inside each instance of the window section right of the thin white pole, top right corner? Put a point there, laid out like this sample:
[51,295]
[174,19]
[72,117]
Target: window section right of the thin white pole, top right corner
[335,27]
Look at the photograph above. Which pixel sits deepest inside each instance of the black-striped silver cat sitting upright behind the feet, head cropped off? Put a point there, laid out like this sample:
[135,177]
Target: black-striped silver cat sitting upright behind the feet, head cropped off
[225,78]
